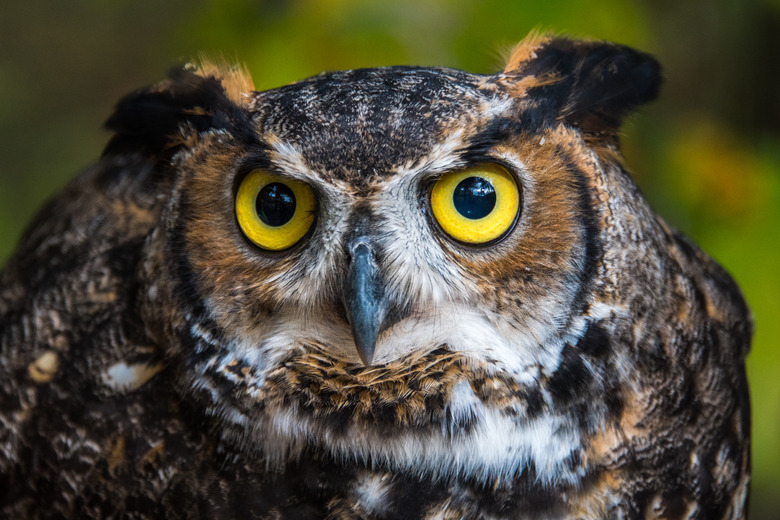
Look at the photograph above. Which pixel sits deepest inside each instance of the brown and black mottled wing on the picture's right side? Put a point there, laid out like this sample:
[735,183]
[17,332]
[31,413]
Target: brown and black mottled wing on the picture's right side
[685,417]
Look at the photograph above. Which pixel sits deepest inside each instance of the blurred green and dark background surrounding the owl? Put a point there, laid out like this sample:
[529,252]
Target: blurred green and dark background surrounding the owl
[707,154]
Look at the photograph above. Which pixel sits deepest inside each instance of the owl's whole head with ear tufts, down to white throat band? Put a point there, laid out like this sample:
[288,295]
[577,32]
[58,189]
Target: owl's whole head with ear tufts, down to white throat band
[400,265]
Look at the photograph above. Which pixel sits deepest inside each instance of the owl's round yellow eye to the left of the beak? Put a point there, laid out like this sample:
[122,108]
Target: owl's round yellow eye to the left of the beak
[274,212]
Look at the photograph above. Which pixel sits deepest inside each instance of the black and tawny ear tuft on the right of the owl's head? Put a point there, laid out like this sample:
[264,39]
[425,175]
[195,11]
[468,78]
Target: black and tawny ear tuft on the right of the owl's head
[596,84]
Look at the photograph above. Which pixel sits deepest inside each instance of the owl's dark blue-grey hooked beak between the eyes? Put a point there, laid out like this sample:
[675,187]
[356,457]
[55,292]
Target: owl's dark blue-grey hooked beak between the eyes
[364,298]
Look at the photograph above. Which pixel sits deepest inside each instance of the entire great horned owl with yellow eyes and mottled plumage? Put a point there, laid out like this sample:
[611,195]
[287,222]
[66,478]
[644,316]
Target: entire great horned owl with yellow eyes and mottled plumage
[400,292]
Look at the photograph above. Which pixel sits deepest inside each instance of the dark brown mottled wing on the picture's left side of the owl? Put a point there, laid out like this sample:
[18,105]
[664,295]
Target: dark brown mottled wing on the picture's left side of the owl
[75,356]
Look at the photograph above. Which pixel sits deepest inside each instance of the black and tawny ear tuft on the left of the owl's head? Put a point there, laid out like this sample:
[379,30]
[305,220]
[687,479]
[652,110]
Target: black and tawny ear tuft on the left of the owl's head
[155,121]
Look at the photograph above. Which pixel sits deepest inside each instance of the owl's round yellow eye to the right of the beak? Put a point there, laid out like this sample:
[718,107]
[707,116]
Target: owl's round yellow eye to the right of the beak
[477,205]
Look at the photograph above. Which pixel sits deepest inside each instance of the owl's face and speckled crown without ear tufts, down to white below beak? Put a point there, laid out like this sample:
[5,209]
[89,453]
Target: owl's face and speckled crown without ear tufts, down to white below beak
[382,245]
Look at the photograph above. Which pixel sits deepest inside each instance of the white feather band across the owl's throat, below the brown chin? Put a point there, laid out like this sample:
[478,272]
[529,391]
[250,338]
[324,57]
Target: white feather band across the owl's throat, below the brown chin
[497,448]
